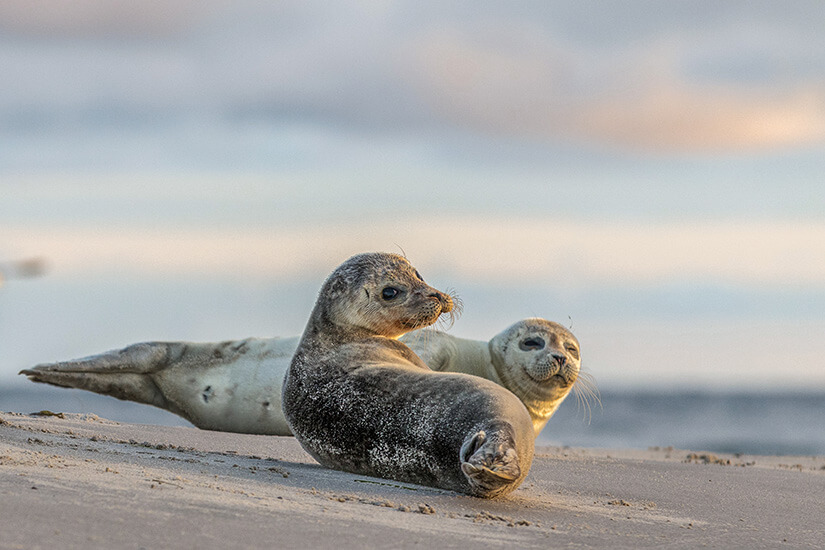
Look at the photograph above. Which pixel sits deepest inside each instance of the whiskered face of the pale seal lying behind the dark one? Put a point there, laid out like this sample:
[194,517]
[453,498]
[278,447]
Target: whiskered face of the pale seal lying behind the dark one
[545,352]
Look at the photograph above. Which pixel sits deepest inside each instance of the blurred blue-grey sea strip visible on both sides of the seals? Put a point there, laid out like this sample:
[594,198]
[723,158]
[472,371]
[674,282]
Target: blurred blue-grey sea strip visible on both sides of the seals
[786,423]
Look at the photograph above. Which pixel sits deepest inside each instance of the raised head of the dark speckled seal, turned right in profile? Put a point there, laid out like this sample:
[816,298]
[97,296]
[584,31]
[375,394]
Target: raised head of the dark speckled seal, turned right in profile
[381,294]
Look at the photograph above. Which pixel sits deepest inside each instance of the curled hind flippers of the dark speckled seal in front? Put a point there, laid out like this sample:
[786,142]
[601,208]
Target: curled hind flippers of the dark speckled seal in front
[490,467]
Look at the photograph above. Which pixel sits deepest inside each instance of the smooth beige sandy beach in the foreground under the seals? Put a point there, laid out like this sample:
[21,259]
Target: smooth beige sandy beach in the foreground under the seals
[79,481]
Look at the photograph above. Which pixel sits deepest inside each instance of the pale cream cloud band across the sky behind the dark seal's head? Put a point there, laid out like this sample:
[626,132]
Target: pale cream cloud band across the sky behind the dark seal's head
[491,251]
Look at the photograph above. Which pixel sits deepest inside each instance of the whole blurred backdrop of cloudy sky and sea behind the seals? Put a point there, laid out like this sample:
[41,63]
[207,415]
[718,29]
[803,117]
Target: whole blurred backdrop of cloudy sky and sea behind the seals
[647,173]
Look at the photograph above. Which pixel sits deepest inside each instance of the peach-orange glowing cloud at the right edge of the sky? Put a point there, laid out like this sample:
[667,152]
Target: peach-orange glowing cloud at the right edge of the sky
[681,117]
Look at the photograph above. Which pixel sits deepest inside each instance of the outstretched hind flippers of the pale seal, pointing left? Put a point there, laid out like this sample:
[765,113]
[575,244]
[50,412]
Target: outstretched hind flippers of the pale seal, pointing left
[125,374]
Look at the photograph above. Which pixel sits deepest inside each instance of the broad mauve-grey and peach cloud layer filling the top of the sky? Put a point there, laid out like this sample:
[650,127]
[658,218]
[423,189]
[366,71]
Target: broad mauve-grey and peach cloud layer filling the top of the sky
[671,79]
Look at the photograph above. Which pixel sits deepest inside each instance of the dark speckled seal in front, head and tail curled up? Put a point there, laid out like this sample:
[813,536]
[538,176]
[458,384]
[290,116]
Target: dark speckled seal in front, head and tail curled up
[359,400]
